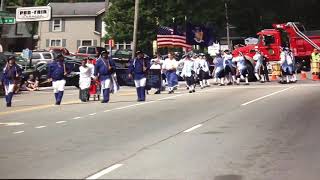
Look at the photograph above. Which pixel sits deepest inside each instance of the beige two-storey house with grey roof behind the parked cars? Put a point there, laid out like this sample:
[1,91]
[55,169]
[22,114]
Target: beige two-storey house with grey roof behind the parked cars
[73,25]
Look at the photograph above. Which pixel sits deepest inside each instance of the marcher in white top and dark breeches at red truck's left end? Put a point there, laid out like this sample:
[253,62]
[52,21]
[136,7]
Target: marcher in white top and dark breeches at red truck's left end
[229,67]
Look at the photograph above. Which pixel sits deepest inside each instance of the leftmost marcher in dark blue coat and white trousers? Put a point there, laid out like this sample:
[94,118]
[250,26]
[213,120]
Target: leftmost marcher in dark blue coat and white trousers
[10,73]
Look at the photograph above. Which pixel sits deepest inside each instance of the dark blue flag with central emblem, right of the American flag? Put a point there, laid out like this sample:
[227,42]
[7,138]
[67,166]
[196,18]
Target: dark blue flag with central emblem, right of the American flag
[199,35]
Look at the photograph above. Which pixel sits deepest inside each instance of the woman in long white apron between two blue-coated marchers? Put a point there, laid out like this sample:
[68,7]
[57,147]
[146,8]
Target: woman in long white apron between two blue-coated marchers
[84,80]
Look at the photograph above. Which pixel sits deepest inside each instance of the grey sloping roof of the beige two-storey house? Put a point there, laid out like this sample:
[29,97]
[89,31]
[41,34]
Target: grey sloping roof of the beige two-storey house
[77,9]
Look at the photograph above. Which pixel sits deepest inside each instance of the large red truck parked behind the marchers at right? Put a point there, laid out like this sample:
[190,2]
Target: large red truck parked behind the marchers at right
[292,35]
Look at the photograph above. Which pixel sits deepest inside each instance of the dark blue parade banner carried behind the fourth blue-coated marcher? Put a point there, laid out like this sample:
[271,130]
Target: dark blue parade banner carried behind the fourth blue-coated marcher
[153,78]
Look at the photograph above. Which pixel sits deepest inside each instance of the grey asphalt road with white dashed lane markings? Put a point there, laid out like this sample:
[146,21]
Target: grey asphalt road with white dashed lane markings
[257,132]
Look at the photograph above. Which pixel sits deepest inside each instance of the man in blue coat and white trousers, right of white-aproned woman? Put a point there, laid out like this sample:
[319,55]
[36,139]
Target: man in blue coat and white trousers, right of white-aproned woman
[103,70]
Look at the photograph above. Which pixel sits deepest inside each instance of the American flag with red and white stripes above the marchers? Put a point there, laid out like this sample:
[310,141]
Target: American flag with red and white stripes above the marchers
[167,37]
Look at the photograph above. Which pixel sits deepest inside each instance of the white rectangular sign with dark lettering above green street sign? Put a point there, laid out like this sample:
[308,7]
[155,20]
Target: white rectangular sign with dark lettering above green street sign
[38,13]
